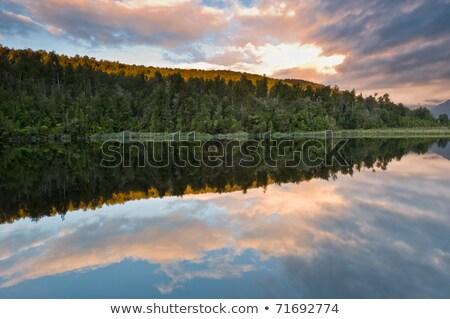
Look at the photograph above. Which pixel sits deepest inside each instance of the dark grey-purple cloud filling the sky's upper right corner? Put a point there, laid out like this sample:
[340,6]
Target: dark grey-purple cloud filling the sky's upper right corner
[389,42]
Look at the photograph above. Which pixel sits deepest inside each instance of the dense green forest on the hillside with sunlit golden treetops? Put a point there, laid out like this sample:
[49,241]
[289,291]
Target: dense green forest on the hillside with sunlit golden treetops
[49,93]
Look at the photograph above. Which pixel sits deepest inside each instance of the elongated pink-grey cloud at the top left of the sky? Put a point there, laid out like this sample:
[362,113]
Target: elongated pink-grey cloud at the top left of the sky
[109,22]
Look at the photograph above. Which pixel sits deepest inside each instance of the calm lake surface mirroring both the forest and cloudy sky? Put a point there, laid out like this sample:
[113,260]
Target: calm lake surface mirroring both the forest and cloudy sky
[379,228]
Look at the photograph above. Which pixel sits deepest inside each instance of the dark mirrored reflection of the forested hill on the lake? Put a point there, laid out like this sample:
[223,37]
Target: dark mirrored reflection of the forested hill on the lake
[55,179]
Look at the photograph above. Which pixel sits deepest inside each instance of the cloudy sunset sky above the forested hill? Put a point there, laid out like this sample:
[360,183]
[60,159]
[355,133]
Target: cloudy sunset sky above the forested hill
[400,47]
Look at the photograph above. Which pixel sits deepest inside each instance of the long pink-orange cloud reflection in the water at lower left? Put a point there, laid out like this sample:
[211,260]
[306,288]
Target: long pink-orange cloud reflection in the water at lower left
[92,244]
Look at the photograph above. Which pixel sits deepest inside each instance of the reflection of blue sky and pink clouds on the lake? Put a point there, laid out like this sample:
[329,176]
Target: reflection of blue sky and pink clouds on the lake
[374,234]
